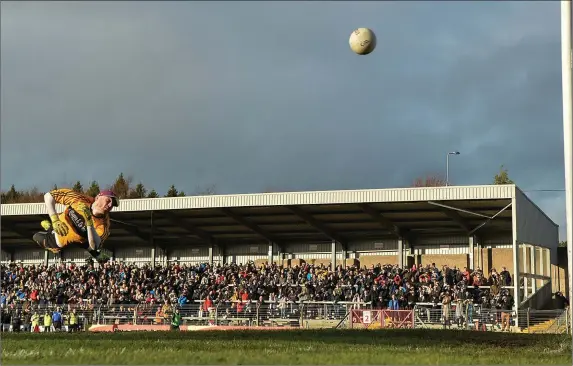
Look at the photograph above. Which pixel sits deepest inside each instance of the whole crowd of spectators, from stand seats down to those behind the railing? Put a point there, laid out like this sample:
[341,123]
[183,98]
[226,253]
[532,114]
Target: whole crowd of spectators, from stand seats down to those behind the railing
[153,294]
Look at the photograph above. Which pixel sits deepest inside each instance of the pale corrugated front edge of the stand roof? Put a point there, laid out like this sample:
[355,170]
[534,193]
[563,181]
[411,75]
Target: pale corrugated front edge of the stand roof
[293,198]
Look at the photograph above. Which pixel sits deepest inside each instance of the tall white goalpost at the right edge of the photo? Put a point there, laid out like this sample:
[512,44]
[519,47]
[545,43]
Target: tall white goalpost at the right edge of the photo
[566,64]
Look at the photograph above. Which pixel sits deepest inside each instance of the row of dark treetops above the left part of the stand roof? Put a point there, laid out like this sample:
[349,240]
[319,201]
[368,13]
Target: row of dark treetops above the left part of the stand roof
[123,187]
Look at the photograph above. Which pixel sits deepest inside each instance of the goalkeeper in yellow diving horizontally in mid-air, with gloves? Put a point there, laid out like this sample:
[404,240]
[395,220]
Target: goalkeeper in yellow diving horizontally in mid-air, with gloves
[84,221]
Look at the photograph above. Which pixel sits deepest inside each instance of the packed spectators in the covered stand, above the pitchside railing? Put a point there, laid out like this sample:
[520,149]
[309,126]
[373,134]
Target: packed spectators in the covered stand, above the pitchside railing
[87,285]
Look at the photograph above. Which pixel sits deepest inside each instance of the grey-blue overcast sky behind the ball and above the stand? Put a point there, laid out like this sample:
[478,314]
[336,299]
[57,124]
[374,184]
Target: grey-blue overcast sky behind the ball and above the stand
[267,95]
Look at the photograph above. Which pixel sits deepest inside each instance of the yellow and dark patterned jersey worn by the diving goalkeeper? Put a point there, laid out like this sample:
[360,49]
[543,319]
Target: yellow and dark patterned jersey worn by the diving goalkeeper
[75,219]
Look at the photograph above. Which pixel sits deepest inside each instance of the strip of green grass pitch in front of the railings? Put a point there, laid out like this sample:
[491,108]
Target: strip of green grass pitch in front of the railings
[291,347]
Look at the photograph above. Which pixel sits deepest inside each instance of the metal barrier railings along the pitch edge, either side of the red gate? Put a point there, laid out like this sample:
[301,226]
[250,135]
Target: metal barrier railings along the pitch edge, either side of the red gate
[304,314]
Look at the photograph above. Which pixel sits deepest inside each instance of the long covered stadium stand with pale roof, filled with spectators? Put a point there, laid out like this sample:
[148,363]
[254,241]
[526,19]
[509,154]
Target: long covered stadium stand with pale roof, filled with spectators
[431,243]
